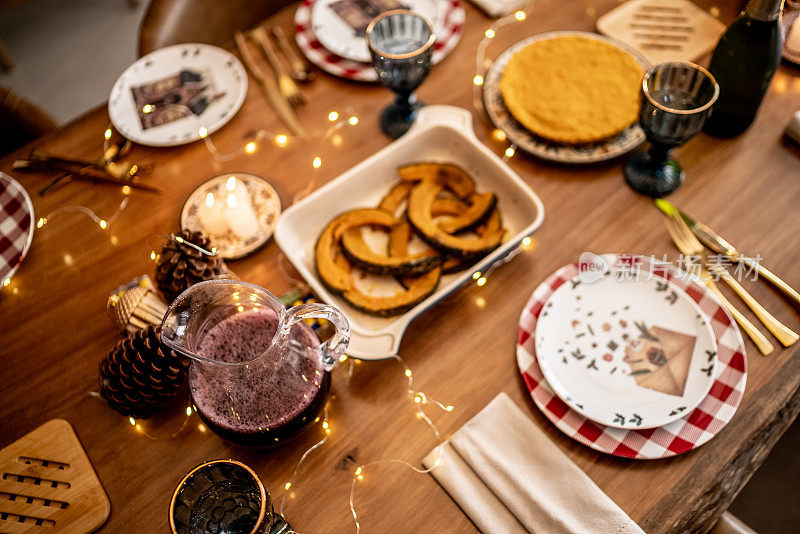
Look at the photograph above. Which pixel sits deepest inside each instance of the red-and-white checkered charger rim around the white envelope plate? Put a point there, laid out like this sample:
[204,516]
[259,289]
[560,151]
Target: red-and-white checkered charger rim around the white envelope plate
[680,436]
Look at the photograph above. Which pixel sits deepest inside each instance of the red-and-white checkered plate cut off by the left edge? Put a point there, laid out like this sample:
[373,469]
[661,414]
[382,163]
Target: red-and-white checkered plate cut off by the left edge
[16,225]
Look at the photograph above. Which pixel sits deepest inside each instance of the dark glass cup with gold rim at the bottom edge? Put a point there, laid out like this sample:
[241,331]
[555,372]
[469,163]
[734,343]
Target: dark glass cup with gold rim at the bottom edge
[221,497]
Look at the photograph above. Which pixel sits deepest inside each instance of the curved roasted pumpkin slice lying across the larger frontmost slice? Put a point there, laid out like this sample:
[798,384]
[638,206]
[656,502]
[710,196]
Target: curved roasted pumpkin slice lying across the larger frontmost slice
[361,255]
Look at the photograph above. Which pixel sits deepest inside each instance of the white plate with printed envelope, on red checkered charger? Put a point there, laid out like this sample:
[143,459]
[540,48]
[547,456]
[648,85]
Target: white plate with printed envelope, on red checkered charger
[626,351]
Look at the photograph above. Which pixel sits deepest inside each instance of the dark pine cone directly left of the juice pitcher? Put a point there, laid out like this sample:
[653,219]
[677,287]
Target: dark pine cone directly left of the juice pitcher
[140,375]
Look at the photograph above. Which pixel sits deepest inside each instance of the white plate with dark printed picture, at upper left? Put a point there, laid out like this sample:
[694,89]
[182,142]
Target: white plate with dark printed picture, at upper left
[177,94]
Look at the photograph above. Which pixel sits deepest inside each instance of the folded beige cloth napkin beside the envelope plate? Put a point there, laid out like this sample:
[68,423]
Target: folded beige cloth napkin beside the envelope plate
[509,477]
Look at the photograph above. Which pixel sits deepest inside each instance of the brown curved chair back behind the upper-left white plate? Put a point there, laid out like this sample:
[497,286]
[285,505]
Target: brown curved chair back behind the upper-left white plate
[169,22]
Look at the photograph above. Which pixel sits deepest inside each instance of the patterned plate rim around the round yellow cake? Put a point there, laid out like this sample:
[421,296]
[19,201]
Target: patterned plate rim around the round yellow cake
[628,140]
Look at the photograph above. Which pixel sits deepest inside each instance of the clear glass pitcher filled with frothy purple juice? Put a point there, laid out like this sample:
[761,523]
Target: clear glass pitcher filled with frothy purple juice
[259,374]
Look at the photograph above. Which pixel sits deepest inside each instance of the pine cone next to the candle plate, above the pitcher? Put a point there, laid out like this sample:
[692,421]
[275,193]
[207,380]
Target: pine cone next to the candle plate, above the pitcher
[182,265]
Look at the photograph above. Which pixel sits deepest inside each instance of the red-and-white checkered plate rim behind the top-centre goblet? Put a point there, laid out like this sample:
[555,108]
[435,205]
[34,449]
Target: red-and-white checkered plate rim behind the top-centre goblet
[331,63]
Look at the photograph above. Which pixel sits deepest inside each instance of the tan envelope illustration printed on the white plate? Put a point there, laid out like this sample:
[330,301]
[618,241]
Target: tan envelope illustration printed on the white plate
[660,359]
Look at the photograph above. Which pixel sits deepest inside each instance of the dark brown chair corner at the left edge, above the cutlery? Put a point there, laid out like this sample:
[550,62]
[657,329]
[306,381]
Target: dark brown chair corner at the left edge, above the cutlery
[22,121]
